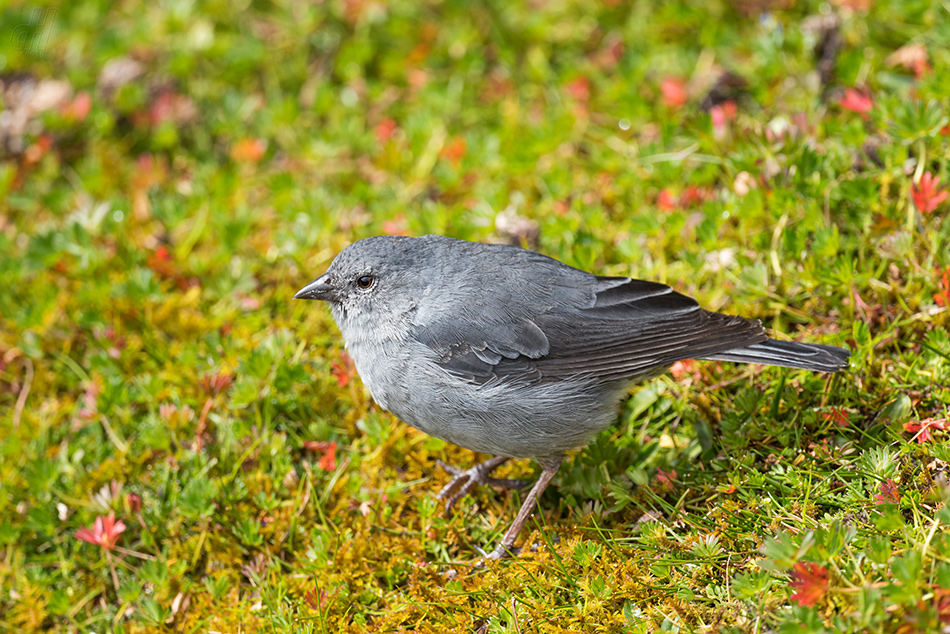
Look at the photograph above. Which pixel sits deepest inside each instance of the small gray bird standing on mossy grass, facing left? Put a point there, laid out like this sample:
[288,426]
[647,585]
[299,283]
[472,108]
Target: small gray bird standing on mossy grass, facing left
[511,353]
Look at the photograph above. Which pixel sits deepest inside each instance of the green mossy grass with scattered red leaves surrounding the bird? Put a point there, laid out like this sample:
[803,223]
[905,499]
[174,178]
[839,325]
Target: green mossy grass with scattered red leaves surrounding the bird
[171,173]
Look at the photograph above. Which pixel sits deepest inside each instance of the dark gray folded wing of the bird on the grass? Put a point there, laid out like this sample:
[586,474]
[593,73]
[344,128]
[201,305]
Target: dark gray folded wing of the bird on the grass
[605,327]
